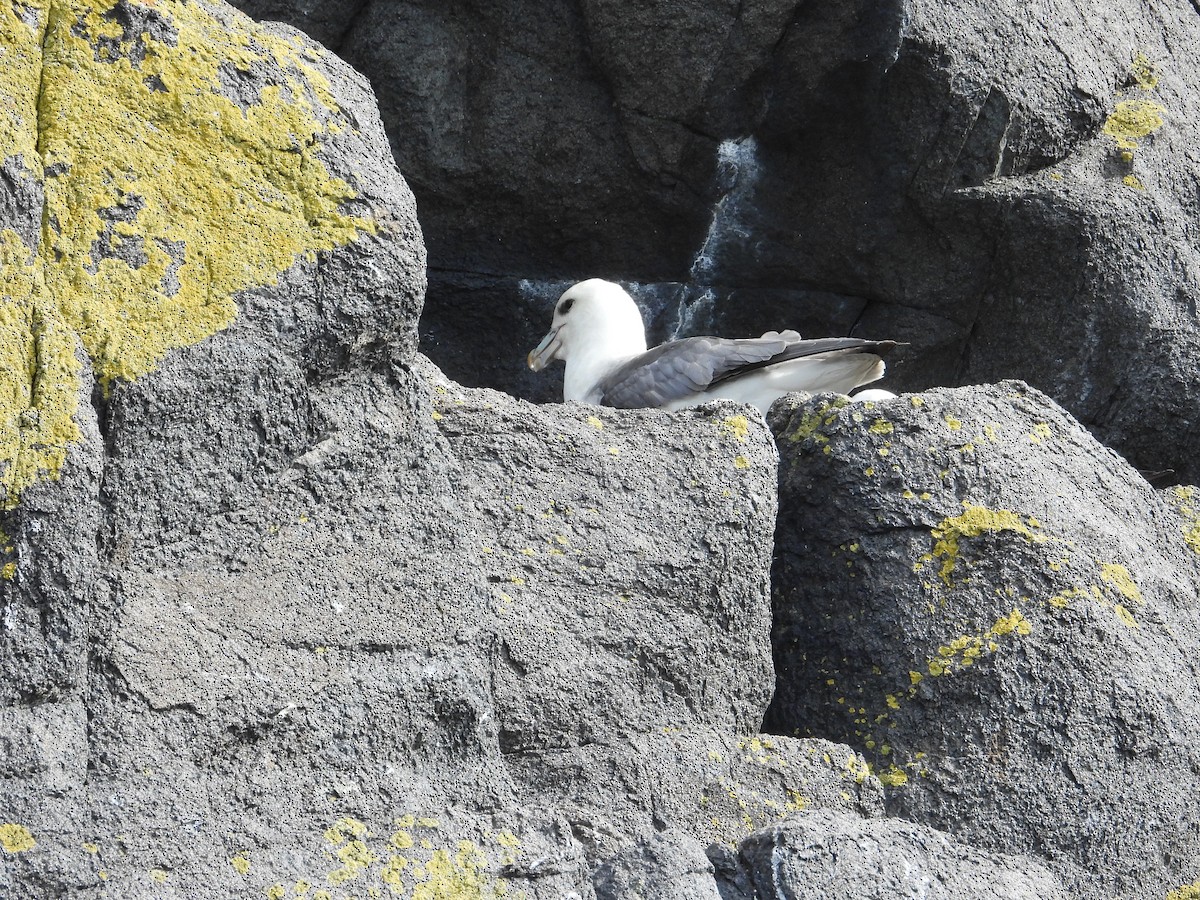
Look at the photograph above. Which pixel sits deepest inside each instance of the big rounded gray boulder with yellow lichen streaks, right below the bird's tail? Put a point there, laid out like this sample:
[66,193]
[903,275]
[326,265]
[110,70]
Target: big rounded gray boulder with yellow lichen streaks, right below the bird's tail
[1004,614]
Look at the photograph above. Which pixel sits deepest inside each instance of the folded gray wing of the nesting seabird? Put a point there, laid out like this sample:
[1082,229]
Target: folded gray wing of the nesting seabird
[680,369]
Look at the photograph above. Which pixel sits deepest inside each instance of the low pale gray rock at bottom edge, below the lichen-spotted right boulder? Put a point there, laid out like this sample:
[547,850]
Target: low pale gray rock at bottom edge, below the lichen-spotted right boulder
[827,855]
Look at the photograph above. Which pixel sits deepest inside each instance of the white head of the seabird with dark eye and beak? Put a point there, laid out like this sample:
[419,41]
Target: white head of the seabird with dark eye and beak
[596,323]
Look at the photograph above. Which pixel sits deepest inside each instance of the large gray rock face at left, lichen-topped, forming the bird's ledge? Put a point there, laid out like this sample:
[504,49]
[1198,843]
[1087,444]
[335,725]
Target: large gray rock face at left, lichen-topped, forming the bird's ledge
[287,613]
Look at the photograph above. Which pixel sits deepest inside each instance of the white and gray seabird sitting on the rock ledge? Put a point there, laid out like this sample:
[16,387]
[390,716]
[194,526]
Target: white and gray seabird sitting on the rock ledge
[598,332]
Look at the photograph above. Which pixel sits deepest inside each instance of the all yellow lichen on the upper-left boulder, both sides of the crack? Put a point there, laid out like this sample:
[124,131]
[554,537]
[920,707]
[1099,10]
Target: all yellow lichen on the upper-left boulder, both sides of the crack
[165,196]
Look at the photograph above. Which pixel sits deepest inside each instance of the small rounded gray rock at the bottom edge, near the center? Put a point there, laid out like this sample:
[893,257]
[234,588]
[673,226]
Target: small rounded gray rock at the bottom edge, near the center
[667,867]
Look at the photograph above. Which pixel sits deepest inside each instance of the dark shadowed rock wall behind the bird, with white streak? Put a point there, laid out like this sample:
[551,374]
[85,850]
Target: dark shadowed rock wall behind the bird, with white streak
[1010,195]
